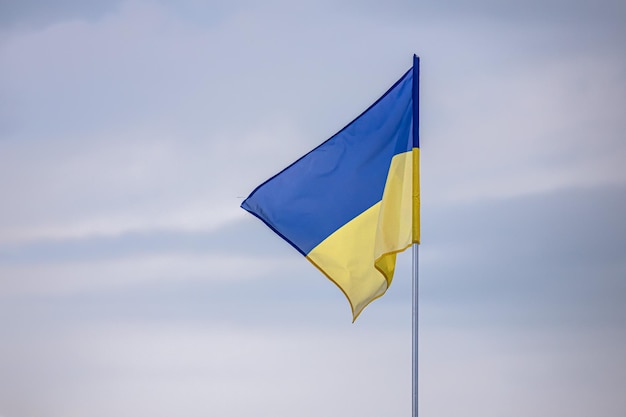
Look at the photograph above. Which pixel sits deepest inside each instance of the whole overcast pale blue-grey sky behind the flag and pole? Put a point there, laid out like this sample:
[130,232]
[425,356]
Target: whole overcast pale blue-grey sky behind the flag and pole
[132,284]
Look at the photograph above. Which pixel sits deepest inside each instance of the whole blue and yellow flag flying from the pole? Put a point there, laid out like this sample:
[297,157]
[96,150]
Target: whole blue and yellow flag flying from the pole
[353,202]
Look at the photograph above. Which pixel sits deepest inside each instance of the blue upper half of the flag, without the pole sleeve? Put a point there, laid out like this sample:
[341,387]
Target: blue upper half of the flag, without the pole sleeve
[341,178]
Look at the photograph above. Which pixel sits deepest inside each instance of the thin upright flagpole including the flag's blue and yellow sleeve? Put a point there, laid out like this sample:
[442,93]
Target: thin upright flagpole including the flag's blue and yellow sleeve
[416,238]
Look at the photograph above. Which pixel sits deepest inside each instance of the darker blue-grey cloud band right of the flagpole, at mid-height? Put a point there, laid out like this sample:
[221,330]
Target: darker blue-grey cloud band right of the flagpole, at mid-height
[554,257]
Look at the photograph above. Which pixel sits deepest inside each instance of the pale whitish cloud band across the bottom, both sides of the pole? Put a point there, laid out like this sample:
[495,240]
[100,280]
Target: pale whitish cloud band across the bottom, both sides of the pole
[160,369]
